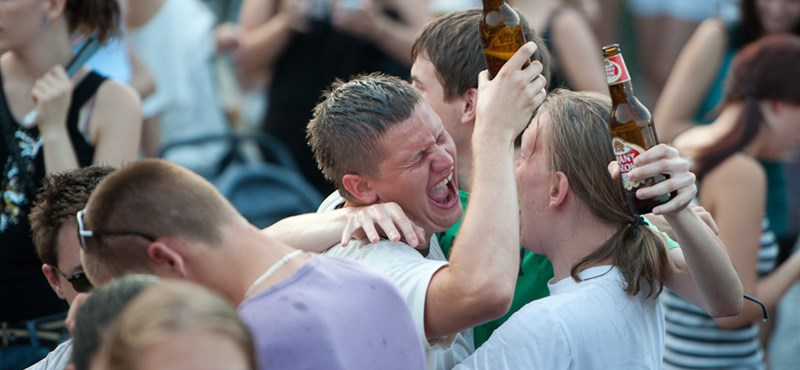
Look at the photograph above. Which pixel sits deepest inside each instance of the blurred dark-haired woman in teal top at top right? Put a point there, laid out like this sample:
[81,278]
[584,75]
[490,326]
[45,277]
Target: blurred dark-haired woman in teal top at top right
[694,88]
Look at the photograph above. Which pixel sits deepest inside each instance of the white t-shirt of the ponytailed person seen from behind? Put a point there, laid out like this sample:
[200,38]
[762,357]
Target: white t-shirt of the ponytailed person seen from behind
[593,324]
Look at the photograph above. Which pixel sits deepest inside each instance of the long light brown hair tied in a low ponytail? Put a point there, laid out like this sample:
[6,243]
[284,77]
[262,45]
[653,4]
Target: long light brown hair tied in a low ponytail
[579,145]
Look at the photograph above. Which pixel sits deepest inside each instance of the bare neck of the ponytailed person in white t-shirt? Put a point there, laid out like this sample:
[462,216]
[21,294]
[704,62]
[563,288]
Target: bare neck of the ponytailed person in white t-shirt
[565,247]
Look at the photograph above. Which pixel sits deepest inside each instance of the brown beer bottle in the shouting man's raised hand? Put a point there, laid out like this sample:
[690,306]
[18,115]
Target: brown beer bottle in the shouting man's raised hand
[501,34]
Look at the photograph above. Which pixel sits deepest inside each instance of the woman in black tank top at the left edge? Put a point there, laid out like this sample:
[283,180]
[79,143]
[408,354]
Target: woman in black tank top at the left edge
[80,120]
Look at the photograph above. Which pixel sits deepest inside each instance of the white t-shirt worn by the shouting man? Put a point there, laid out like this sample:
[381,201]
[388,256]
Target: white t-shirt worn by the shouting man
[411,273]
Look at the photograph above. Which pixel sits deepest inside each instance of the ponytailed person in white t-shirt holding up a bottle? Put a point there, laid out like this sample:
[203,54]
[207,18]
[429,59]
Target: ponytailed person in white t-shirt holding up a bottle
[604,309]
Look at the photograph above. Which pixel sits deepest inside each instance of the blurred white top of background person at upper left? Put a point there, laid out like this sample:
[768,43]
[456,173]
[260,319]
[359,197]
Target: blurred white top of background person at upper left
[177,48]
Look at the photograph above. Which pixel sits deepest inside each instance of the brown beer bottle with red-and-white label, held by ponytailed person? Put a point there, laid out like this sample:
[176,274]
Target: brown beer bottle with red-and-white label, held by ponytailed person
[631,129]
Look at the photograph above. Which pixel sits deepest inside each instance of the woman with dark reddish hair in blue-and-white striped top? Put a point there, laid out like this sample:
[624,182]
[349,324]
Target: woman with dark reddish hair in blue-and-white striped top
[759,120]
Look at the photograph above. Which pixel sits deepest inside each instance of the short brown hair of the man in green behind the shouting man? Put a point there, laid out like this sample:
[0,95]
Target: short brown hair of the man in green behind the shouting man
[452,43]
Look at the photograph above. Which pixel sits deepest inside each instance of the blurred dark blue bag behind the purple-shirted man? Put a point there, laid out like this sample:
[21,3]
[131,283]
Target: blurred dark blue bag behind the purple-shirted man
[259,176]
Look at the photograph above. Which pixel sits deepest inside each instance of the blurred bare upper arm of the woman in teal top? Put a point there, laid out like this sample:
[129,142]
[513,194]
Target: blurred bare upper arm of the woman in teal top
[690,80]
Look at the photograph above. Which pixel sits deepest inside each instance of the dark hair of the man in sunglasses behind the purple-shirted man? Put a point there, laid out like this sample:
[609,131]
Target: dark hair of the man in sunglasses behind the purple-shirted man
[60,197]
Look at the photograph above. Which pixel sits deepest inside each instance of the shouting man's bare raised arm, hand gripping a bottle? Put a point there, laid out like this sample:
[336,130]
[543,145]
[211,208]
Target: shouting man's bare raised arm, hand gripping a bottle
[478,285]
